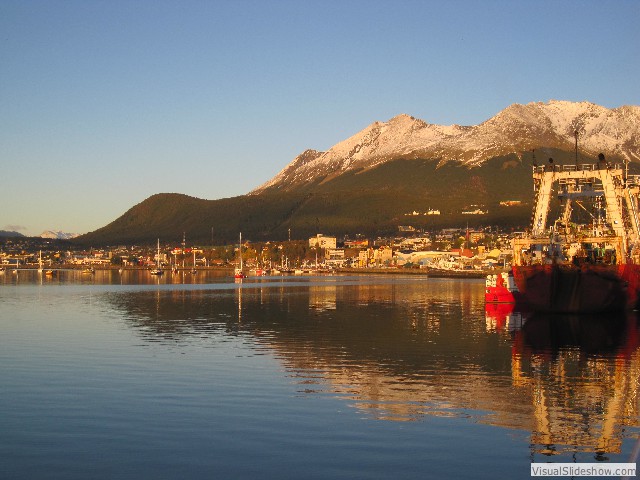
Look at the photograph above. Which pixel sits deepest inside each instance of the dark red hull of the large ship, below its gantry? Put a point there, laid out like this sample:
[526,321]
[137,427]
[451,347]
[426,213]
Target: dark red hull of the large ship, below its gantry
[572,289]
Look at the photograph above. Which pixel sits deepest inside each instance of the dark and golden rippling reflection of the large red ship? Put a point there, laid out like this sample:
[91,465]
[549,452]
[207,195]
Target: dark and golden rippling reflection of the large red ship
[579,373]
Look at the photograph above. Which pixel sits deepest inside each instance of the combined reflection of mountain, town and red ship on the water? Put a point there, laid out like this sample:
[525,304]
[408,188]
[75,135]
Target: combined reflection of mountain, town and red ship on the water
[397,350]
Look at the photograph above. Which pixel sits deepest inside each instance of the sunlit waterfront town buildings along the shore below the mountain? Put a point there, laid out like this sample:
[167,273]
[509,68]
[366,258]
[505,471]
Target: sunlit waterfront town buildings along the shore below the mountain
[454,249]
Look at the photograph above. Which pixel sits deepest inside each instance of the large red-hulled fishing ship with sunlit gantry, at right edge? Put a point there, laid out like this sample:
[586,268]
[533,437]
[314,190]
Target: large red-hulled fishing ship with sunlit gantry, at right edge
[568,267]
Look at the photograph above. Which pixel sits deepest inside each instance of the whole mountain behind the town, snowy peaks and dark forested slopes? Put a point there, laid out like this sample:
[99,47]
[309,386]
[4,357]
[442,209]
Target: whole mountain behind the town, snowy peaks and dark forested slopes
[401,172]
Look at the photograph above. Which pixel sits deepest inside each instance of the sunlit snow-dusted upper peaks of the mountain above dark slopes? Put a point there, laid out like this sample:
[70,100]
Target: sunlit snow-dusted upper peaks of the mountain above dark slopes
[516,129]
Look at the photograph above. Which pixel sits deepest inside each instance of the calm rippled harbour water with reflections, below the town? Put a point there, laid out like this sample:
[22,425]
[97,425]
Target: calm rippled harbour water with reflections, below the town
[131,376]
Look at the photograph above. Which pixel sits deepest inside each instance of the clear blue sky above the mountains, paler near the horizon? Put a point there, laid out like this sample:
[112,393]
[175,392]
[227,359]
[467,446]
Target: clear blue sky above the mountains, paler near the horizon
[104,103]
